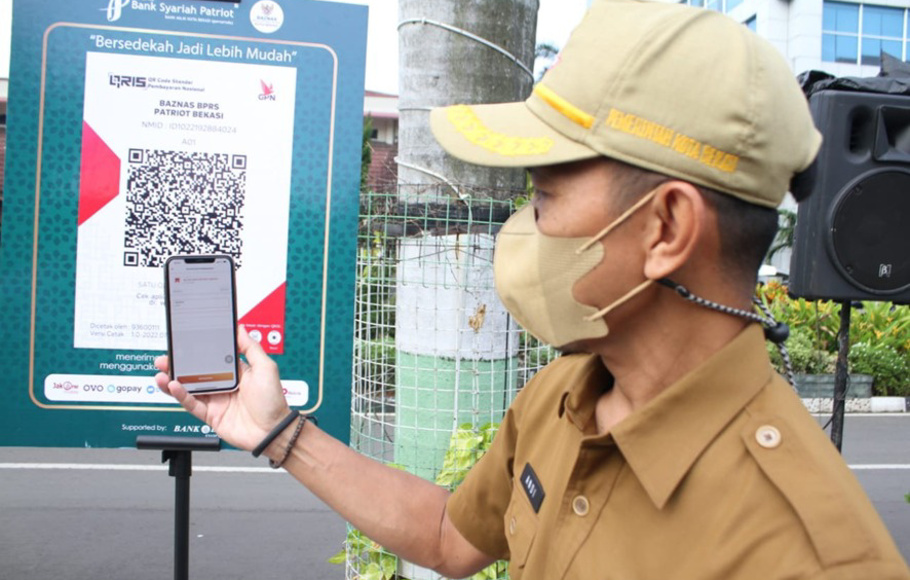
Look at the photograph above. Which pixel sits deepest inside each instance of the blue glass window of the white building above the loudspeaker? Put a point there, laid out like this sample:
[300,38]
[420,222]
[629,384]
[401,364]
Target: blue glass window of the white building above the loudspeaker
[859,33]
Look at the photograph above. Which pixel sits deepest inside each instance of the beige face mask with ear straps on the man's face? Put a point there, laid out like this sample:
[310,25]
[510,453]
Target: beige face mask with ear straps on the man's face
[535,275]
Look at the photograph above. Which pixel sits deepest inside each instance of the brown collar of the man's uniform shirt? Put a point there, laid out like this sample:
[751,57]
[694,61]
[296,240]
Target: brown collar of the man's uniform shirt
[662,440]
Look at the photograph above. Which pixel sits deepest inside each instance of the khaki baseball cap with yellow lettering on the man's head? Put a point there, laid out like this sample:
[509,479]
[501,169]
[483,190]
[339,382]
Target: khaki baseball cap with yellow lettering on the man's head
[682,91]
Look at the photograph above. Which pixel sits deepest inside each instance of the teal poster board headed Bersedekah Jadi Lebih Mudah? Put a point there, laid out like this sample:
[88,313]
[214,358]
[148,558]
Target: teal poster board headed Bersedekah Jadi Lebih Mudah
[160,127]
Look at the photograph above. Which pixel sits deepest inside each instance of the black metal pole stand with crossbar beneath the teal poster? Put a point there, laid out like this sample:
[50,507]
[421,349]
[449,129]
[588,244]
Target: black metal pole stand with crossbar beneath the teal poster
[179,452]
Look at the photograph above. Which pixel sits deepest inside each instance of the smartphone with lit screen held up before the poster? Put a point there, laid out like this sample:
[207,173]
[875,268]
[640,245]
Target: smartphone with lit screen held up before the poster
[200,298]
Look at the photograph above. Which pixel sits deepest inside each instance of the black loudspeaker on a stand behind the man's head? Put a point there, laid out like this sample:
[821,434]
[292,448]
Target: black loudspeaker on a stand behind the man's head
[852,239]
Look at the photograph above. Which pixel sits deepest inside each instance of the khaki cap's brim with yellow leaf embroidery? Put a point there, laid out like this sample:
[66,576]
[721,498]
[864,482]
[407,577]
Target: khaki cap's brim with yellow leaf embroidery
[503,135]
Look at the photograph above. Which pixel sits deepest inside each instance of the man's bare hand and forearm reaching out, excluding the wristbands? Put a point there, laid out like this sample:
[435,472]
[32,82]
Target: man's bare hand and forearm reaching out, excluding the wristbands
[404,513]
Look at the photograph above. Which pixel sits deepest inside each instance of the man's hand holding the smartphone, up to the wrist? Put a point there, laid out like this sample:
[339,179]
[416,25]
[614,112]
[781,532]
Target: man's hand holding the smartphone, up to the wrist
[245,416]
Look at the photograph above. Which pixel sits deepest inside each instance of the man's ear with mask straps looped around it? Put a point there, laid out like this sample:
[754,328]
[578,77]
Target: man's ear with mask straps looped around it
[677,224]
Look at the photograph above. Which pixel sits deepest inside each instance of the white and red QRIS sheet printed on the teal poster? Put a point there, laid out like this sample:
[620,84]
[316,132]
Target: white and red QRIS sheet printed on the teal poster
[180,157]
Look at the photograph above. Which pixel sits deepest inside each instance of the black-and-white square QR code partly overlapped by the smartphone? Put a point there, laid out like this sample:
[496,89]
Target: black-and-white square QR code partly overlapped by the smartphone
[181,202]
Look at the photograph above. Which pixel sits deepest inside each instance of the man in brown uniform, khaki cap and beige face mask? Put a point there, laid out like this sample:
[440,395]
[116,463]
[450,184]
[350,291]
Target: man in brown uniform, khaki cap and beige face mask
[665,446]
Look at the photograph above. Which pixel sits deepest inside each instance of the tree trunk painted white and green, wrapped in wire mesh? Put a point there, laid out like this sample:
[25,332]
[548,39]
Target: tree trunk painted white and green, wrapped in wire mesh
[437,355]
